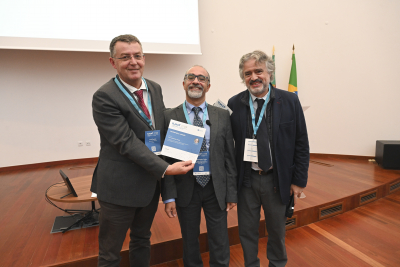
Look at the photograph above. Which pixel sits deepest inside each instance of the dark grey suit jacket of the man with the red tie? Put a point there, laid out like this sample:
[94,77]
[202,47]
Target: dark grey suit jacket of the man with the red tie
[127,171]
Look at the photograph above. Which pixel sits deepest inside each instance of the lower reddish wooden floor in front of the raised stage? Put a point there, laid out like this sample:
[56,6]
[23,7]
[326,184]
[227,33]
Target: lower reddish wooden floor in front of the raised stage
[366,236]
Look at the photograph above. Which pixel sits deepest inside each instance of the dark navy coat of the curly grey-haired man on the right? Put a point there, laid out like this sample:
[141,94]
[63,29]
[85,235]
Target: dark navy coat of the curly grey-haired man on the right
[287,133]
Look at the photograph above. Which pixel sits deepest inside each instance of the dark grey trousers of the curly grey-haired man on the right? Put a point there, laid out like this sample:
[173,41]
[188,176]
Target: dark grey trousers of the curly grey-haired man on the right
[261,193]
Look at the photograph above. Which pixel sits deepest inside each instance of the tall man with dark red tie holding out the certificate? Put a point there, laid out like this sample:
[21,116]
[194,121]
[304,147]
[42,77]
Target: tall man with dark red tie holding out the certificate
[127,175]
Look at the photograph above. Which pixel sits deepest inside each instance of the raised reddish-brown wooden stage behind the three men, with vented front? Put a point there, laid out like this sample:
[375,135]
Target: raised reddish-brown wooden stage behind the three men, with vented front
[337,184]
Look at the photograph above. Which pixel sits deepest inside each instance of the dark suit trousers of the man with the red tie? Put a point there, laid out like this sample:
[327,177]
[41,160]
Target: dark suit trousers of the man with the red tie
[115,221]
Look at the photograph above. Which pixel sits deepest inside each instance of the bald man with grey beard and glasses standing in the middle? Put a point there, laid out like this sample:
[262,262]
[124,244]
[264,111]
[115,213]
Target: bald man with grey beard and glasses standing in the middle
[185,195]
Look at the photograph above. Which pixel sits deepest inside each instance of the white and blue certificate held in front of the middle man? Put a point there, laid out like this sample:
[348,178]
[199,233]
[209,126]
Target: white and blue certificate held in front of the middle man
[183,141]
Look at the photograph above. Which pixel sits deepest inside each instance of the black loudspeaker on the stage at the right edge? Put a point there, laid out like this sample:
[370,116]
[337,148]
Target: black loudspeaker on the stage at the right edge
[387,154]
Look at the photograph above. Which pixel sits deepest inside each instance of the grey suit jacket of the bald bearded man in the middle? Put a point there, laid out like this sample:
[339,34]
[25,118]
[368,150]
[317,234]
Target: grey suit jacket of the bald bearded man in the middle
[222,162]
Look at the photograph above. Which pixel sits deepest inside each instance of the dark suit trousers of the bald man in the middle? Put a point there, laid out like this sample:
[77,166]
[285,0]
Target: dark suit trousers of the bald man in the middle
[217,228]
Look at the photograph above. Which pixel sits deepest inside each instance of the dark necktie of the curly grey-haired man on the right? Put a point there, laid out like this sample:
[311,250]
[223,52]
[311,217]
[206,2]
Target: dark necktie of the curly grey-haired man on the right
[264,156]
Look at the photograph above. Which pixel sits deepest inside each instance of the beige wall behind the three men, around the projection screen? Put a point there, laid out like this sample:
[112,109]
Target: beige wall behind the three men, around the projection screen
[347,56]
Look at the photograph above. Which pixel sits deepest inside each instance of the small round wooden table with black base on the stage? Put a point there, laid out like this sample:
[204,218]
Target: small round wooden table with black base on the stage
[60,193]
